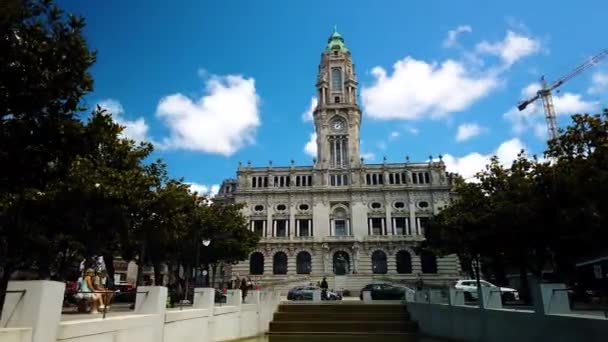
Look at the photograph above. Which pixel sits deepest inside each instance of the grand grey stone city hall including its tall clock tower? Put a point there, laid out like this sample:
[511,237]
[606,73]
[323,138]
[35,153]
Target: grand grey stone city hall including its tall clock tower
[341,218]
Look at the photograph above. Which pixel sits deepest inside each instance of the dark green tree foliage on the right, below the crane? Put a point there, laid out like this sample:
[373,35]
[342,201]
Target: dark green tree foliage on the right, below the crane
[534,212]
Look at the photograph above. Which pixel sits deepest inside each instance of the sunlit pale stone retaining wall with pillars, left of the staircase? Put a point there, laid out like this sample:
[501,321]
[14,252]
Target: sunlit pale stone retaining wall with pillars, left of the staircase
[24,320]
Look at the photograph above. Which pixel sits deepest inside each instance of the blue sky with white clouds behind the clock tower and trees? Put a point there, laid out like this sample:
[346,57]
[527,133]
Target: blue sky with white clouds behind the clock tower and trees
[213,83]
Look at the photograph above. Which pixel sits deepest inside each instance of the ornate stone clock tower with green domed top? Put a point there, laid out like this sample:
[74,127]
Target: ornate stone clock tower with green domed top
[337,117]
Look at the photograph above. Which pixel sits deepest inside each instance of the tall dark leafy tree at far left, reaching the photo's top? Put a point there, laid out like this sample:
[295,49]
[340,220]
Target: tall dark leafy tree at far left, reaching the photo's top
[43,75]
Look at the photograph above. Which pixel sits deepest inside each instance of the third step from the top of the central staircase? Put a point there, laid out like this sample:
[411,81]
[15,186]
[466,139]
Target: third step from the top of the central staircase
[341,327]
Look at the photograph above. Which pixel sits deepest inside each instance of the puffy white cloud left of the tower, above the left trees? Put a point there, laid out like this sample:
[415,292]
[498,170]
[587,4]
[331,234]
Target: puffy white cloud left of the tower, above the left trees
[222,121]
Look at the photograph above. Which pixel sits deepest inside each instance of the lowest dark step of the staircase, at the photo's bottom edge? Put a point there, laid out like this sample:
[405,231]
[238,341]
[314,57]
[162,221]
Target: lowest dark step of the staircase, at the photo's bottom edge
[342,337]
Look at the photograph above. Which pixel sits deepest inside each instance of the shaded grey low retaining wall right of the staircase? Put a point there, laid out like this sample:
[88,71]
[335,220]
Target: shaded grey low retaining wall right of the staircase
[494,324]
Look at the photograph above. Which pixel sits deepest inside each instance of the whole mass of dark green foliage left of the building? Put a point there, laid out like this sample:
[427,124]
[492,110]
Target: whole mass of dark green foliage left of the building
[71,189]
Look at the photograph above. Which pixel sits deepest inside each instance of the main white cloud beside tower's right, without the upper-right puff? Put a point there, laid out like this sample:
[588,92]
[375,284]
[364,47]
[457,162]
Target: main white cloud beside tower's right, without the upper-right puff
[417,88]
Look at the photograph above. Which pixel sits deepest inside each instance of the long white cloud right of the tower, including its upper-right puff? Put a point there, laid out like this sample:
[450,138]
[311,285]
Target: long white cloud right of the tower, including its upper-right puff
[418,89]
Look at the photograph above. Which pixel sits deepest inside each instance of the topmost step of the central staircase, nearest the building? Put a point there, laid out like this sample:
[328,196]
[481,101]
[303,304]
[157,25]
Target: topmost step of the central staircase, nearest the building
[343,307]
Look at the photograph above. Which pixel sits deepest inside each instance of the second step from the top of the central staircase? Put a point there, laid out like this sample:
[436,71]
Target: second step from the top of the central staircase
[341,316]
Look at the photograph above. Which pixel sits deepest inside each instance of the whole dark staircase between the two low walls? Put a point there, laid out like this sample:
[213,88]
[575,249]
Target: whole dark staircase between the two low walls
[342,321]
